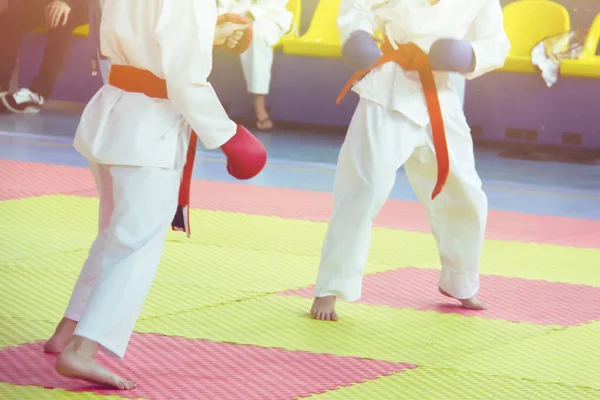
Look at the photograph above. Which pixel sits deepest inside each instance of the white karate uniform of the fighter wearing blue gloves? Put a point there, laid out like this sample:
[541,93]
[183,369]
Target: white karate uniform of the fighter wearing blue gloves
[390,128]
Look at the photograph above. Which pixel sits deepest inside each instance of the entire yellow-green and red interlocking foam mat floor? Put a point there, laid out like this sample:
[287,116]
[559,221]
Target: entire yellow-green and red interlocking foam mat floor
[227,316]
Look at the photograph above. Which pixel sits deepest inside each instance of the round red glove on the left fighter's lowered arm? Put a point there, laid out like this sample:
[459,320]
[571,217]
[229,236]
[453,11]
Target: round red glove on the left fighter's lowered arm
[246,156]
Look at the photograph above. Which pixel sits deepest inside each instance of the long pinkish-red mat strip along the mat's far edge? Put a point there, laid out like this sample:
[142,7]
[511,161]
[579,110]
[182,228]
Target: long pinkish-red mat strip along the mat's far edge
[31,179]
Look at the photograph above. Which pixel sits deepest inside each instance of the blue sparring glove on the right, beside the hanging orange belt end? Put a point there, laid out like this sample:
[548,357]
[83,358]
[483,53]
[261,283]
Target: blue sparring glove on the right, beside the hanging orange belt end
[452,55]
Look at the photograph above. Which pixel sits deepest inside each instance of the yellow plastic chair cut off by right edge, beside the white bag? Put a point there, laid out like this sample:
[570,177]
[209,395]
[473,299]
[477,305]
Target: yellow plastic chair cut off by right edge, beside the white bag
[588,63]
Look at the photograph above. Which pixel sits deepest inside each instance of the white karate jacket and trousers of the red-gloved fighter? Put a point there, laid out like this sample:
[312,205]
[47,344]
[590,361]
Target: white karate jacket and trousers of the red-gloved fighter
[136,146]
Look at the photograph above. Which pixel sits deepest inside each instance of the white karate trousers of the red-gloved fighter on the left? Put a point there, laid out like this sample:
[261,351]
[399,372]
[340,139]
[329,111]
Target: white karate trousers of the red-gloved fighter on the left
[137,205]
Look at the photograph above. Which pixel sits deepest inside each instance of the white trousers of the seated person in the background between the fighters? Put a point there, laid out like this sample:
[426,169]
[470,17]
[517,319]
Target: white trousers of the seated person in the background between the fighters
[257,61]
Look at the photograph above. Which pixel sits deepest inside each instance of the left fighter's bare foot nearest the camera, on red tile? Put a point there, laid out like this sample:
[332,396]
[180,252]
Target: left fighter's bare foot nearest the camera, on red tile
[77,362]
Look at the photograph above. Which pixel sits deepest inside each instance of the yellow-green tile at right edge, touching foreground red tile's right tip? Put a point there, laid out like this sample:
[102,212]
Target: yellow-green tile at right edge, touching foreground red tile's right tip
[570,357]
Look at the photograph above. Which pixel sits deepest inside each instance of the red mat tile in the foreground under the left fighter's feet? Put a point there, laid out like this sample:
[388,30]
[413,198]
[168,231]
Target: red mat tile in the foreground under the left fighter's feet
[176,368]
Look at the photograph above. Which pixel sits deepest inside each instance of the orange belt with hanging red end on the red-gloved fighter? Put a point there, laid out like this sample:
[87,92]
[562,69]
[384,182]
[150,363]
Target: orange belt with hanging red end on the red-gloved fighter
[135,80]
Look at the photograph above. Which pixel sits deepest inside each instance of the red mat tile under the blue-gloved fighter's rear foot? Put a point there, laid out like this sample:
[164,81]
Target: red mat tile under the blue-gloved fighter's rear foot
[510,299]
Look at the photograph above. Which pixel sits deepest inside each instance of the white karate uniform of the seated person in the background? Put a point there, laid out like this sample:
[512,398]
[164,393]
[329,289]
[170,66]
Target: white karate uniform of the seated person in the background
[272,20]
